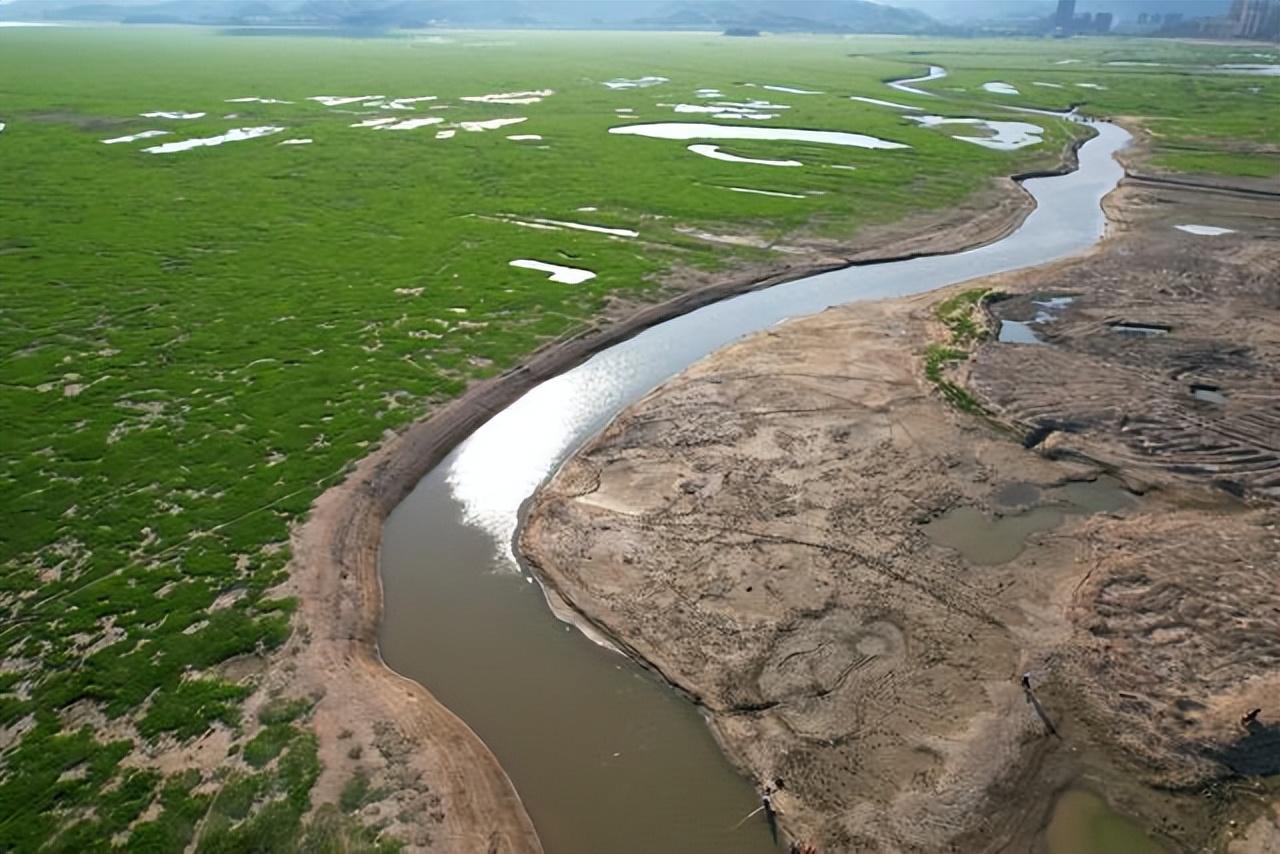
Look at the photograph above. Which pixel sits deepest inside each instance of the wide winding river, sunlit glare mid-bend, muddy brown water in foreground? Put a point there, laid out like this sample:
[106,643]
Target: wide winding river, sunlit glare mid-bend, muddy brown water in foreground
[606,757]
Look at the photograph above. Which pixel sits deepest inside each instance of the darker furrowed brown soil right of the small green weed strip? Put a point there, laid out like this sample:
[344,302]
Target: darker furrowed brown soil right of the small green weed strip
[1128,399]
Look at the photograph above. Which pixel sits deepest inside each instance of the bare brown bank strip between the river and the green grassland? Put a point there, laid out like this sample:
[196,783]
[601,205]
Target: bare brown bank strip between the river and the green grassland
[435,760]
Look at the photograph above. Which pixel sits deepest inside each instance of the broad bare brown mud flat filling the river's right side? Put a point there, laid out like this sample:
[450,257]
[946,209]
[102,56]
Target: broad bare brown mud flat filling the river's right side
[753,531]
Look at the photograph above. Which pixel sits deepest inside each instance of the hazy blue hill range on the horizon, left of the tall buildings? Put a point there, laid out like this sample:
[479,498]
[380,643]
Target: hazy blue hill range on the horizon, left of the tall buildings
[774,16]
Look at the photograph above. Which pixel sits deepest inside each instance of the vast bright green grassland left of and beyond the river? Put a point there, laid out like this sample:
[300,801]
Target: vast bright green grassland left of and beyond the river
[196,345]
